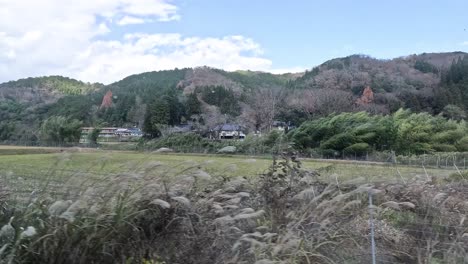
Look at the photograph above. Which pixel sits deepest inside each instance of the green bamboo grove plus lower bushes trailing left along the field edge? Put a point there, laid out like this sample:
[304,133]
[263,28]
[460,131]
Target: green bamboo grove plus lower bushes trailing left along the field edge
[345,134]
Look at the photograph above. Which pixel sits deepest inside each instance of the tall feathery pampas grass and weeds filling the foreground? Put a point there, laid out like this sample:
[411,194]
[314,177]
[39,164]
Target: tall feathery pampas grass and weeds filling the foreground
[182,214]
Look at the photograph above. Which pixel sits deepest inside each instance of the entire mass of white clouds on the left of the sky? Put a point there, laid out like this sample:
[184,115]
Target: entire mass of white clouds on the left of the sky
[50,37]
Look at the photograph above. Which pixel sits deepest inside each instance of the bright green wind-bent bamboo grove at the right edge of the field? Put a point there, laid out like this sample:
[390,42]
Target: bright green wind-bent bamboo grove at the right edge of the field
[359,133]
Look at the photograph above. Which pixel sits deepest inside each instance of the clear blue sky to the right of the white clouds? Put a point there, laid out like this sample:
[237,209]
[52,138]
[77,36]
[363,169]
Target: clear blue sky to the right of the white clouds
[306,33]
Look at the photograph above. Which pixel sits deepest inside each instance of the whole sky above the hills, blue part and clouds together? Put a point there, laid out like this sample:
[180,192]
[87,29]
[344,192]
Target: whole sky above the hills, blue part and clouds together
[107,40]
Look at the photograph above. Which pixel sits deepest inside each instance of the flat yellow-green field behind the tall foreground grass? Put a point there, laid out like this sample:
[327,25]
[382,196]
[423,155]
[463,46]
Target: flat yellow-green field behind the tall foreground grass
[28,172]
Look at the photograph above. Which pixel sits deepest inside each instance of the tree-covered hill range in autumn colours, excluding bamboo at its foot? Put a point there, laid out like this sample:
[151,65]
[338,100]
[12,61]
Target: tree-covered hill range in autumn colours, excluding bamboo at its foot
[430,82]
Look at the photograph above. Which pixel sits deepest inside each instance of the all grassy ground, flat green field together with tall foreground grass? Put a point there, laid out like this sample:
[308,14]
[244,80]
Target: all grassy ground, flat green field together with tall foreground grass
[97,206]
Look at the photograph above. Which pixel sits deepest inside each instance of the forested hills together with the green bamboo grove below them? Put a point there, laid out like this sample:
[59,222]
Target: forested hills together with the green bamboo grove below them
[430,86]
